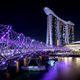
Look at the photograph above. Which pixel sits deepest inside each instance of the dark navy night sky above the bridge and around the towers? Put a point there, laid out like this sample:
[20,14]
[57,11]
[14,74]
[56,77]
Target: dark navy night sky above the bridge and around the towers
[30,19]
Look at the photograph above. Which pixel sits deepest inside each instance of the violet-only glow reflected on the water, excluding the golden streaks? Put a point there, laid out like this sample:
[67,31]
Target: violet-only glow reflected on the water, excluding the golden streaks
[53,72]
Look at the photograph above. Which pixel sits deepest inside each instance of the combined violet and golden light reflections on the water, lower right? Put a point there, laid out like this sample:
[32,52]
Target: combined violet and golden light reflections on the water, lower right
[67,68]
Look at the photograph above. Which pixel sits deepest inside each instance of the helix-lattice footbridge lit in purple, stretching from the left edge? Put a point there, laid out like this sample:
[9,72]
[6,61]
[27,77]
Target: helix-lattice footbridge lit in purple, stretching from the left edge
[15,46]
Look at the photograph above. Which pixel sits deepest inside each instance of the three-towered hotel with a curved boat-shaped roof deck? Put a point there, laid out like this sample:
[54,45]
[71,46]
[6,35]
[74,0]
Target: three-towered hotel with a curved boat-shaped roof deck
[59,31]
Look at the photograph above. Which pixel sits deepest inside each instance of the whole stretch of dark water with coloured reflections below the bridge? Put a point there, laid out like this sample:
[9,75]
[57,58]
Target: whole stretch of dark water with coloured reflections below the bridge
[66,68]
